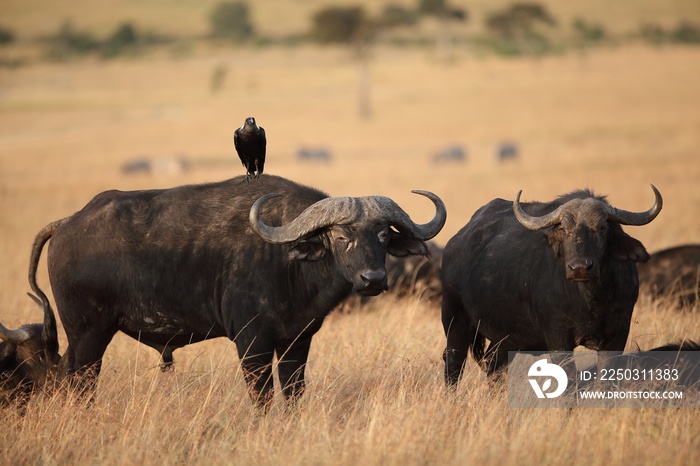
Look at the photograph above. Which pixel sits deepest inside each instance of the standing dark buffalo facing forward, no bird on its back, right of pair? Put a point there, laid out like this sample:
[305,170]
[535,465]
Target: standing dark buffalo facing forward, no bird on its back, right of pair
[540,277]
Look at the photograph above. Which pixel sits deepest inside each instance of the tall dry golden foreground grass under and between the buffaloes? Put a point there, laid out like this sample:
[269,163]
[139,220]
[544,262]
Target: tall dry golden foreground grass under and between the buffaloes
[375,397]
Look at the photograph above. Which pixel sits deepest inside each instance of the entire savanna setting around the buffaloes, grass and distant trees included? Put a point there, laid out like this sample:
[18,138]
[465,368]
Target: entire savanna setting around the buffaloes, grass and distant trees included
[472,100]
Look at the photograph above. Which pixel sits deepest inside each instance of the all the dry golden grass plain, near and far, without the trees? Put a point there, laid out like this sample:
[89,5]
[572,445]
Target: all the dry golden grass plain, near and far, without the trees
[614,121]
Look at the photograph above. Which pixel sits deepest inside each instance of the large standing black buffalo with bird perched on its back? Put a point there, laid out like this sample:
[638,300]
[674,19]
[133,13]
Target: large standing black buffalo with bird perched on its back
[260,263]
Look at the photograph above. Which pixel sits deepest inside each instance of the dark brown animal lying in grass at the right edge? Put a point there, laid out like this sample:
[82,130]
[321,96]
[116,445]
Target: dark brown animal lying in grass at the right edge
[673,273]
